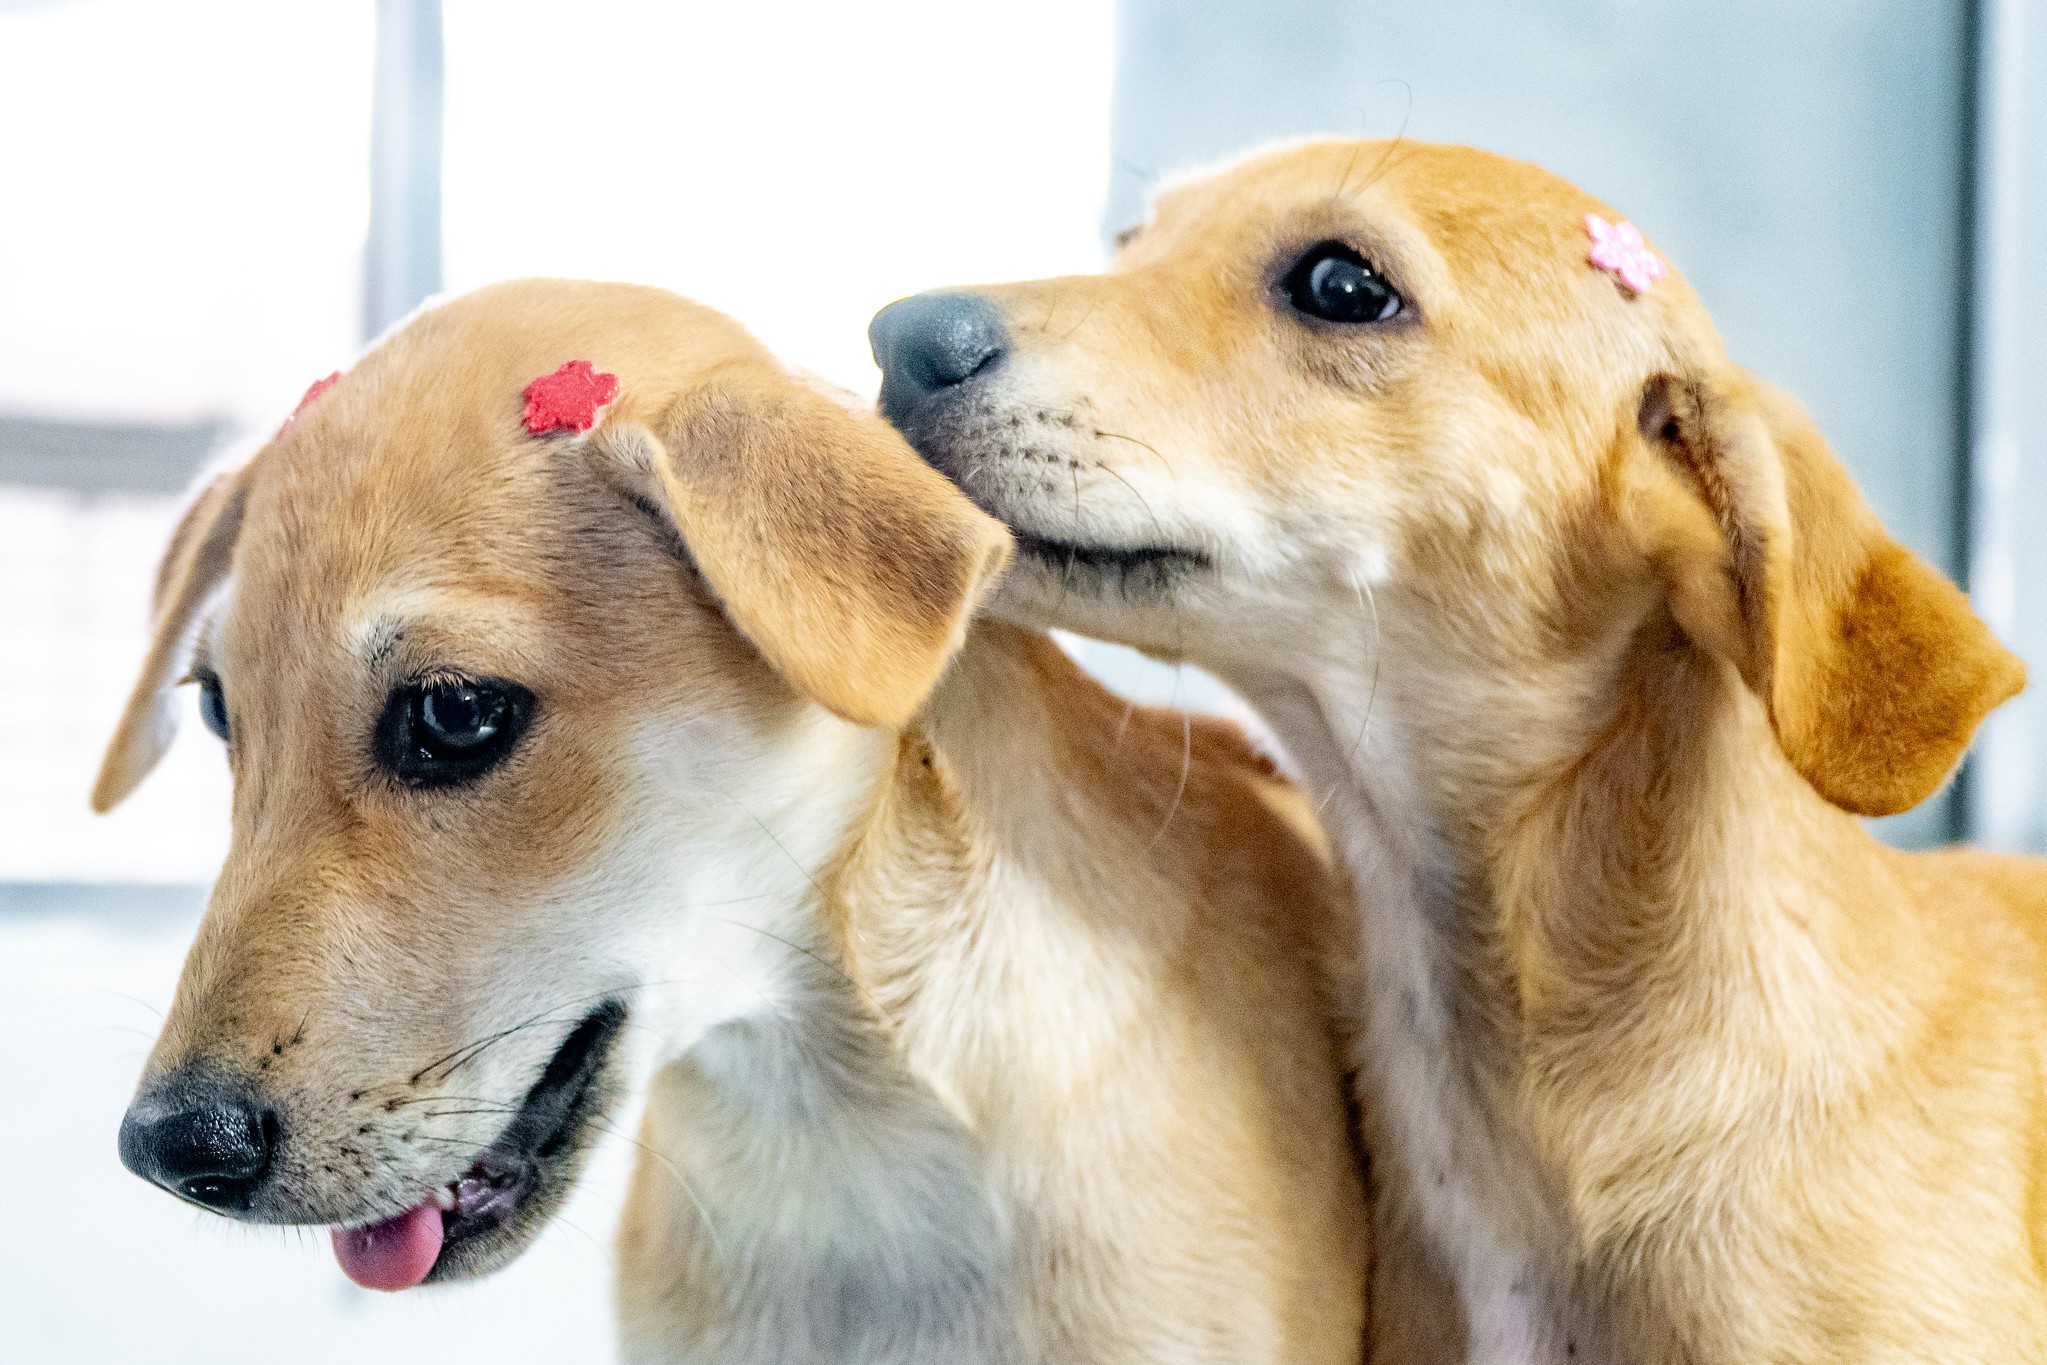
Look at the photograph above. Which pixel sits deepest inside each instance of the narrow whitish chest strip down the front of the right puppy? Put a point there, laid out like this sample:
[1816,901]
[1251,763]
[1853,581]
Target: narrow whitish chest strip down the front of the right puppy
[1461,1190]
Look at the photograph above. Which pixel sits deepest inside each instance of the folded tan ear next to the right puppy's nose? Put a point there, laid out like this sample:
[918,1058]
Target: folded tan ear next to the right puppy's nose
[851,564]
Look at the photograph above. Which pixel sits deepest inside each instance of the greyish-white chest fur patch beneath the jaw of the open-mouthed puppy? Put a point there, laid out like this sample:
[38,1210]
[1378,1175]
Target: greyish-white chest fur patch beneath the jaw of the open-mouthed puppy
[816,1204]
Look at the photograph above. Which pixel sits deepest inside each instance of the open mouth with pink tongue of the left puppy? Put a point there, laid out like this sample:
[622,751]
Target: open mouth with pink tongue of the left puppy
[484,1217]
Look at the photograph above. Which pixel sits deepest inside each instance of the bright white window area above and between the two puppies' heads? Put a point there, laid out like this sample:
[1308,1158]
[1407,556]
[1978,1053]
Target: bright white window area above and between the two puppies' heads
[793,165]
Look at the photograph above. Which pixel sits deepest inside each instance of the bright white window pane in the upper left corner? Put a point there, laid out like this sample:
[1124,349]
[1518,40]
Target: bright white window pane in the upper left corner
[187,202]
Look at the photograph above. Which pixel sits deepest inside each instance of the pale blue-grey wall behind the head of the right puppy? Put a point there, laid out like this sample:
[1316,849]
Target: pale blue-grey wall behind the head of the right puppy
[1804,163]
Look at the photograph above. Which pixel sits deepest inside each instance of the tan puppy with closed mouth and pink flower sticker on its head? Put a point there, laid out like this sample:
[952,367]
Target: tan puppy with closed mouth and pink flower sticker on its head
[1596,654]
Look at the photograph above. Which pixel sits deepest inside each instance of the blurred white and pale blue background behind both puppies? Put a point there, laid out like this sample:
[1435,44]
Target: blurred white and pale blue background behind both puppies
[208,204]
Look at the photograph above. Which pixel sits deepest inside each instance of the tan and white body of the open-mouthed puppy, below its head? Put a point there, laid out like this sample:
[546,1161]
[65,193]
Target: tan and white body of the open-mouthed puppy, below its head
[1004,1116]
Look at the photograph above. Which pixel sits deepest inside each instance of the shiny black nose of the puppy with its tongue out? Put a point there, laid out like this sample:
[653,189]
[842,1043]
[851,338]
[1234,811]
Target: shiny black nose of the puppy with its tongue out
[200,1135]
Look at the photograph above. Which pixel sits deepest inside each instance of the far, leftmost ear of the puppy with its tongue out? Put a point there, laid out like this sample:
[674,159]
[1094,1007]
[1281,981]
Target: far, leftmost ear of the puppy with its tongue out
[193,568]
